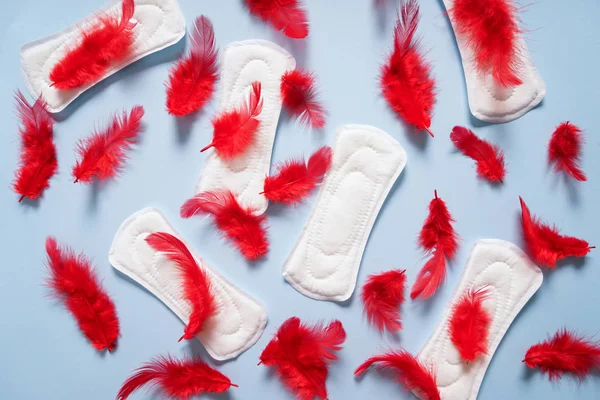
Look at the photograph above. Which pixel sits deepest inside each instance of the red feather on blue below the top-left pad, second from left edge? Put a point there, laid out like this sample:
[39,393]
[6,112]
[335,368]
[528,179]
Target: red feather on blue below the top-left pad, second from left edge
[102,155]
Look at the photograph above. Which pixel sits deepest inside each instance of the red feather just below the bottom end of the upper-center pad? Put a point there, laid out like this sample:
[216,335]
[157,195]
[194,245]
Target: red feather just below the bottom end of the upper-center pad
[237,223]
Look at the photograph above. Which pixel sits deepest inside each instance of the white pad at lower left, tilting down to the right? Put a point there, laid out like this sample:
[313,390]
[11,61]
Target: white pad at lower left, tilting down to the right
[239,320]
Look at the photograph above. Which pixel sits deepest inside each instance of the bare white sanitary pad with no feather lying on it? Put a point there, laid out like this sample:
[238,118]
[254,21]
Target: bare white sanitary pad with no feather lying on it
[324,262]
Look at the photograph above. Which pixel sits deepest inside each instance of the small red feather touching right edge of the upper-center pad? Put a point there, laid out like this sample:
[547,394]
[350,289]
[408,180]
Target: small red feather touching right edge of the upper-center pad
[299,97]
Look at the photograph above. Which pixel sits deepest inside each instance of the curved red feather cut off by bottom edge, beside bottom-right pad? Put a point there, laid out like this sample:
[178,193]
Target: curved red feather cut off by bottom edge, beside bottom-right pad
[412,374]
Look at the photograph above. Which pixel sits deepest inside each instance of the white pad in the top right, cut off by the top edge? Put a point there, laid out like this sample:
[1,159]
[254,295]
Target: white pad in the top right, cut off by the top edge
[491,102]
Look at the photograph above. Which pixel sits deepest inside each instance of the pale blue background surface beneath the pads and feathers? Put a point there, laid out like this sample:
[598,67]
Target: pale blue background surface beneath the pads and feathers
[42,353]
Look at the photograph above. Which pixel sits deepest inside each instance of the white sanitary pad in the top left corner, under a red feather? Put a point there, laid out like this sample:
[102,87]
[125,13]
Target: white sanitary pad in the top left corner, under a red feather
[159,24]
